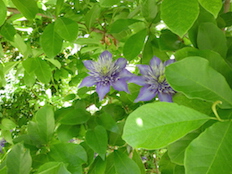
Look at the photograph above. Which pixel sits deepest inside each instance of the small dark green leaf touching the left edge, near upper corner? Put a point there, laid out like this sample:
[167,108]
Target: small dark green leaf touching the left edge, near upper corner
[8,31]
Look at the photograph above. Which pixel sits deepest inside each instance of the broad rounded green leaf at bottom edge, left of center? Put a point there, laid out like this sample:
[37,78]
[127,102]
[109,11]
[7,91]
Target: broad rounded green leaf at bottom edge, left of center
[72,154]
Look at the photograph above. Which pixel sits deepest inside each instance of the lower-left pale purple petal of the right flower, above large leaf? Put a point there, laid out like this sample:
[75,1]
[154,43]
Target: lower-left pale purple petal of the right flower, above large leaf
[145,94]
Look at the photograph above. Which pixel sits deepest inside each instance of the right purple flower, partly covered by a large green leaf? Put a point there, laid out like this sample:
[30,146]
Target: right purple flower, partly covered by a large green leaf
[153,81]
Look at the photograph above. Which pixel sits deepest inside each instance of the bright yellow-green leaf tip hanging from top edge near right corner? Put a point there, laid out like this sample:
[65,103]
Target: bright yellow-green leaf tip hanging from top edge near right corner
[212,6]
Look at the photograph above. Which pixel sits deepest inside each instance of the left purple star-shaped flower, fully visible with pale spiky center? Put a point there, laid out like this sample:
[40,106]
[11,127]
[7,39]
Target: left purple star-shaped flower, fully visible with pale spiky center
[105,73]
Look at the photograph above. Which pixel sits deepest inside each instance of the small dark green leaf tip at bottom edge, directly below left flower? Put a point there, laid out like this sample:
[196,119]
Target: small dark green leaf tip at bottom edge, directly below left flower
[98,166]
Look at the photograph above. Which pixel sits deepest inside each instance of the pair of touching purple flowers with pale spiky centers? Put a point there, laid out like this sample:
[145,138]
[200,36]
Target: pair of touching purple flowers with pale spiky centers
[105,73]
